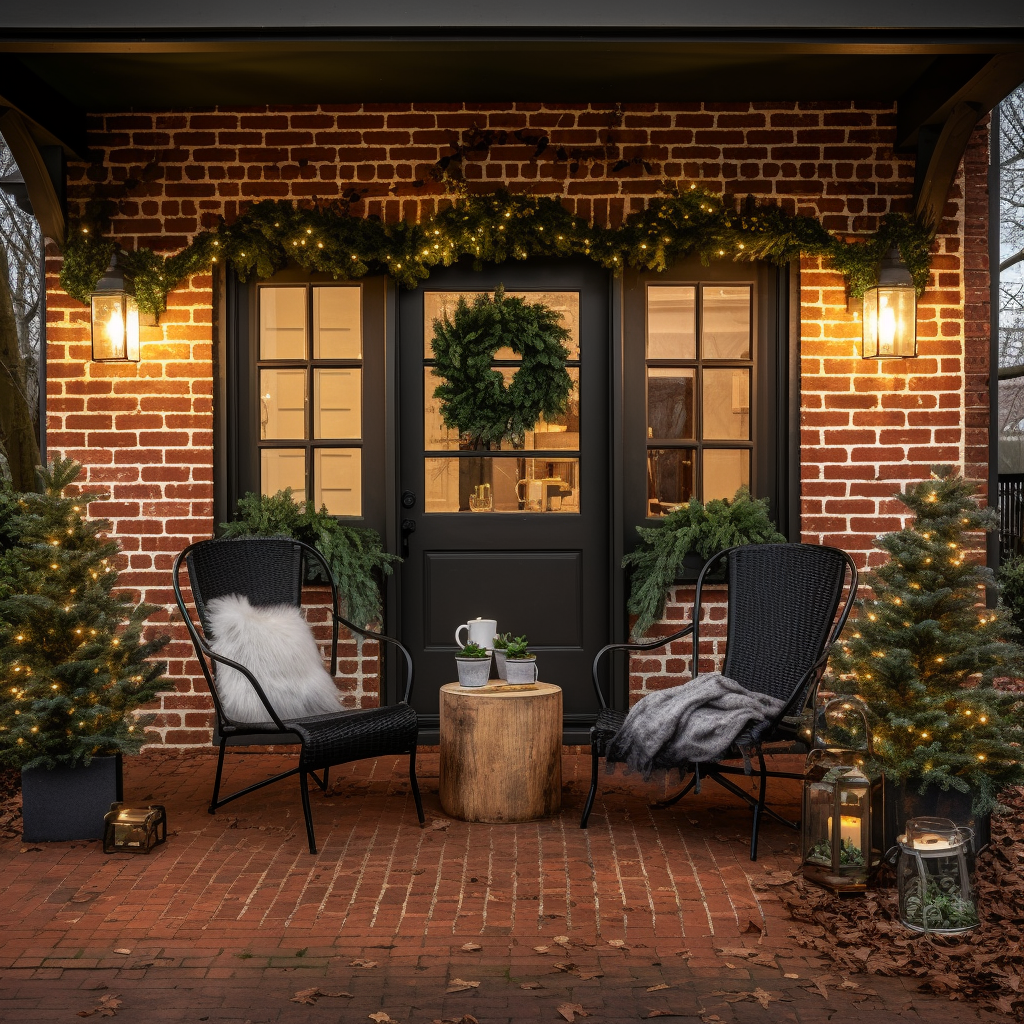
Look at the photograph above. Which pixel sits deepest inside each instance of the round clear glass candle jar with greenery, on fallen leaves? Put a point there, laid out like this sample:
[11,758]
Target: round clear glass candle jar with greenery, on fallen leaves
[933,876]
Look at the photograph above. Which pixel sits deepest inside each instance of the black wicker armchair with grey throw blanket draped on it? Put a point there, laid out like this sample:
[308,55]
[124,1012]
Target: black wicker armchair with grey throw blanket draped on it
[783,621]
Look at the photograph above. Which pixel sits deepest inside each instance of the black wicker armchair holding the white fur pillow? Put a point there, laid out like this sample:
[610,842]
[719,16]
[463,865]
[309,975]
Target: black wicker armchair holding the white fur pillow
[272,571]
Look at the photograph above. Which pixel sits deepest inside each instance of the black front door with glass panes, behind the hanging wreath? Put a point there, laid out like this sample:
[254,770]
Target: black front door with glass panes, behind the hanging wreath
[518,535]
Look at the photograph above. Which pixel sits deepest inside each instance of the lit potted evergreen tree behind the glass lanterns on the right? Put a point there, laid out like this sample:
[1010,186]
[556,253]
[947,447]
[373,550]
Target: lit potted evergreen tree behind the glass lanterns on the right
[924,654]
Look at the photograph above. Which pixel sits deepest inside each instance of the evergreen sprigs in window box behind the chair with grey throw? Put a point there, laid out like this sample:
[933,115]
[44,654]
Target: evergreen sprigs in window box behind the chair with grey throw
[702,530]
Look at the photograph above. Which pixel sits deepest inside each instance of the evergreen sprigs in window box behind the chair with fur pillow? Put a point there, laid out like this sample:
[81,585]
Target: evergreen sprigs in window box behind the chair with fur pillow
[356,556]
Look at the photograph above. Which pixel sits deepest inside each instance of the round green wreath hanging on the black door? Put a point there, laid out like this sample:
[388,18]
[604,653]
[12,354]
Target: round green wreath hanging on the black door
[474,397]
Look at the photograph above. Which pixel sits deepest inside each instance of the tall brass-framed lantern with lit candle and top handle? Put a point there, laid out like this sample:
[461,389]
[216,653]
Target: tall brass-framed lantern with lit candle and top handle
[837,827]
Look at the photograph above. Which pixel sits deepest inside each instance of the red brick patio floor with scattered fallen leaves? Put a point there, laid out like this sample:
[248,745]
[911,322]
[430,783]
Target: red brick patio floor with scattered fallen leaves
[233,917]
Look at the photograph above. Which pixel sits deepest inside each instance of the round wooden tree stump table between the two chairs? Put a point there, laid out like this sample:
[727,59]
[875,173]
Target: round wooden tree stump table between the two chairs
[501,757]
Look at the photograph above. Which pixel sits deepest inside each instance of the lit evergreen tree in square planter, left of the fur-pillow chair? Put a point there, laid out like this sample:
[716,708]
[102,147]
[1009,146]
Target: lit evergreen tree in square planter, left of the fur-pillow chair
[74,666]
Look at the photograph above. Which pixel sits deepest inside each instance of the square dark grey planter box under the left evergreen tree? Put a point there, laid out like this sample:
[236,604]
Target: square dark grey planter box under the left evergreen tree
[62,804]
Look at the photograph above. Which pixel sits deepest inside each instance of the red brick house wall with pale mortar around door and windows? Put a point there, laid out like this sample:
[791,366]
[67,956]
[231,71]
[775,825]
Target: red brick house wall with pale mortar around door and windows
[146,432]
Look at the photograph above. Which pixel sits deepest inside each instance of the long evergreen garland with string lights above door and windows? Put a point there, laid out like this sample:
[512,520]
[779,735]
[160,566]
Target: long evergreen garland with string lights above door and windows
[489,229]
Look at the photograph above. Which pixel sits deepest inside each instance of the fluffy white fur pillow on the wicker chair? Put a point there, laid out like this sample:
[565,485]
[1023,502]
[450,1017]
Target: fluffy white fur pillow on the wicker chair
[276,646]
